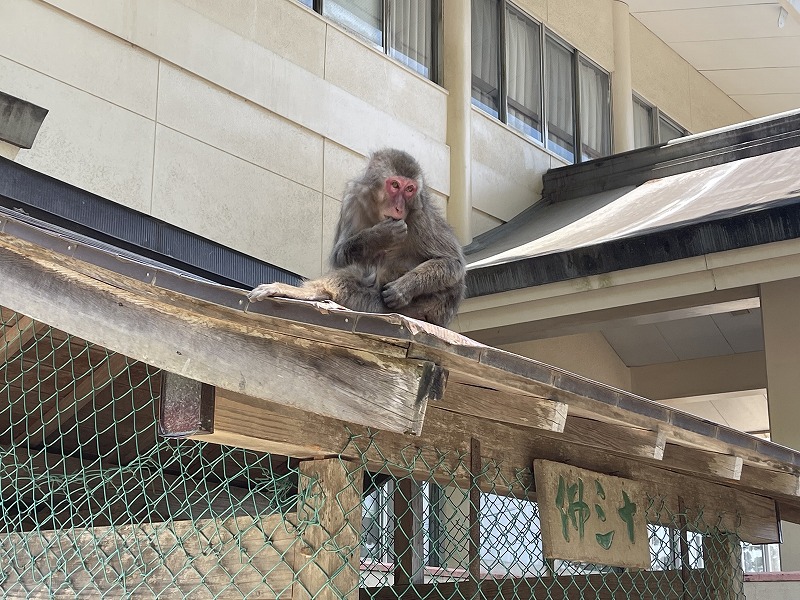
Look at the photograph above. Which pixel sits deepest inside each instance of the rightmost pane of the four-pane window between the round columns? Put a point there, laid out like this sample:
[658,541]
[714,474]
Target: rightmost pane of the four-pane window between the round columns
[595,107]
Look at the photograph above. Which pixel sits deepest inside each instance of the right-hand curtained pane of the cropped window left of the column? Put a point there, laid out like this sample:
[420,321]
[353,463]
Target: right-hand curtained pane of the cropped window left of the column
[411,34]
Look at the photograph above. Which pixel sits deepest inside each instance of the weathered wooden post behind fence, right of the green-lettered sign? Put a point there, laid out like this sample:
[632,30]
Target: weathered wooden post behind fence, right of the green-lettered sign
[722,554]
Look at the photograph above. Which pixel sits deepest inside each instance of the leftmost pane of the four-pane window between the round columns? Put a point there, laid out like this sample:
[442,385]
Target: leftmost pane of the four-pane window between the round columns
[486,55]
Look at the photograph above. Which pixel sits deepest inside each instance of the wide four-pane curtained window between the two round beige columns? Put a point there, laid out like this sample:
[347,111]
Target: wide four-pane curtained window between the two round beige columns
[529,79]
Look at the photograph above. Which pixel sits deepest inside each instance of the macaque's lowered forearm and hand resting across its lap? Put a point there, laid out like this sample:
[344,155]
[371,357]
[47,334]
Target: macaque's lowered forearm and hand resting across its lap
[432,276]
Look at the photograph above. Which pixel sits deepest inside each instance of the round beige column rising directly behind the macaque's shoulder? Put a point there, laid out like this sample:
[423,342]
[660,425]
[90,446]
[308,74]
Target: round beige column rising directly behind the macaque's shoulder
[457,25]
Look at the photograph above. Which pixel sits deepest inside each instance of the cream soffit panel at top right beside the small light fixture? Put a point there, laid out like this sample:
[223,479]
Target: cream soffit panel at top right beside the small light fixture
[718,23]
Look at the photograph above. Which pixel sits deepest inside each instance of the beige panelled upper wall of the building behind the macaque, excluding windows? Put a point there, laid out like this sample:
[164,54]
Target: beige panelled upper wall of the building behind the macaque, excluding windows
[147,98]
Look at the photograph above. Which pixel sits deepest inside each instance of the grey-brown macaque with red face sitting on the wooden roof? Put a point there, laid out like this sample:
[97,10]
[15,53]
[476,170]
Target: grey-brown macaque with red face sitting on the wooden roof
[393,251]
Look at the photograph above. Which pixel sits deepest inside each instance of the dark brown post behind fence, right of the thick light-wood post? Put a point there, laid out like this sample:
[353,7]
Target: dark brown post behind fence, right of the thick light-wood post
[409,542]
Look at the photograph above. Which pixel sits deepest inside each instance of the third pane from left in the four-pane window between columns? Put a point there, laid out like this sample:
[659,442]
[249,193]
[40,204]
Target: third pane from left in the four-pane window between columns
[560,100]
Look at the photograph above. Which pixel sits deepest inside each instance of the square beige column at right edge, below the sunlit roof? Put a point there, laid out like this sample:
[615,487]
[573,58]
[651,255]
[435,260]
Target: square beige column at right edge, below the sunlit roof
[781,320]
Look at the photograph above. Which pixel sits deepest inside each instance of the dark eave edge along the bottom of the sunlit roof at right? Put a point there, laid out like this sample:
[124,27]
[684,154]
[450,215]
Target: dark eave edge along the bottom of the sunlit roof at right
[775,222]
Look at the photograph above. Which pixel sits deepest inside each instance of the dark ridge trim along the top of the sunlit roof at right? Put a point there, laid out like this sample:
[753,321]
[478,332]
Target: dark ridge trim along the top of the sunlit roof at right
[679,156]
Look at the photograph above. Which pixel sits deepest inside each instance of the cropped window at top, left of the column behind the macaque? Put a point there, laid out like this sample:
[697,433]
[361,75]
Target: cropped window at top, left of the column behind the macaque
[407,30]
